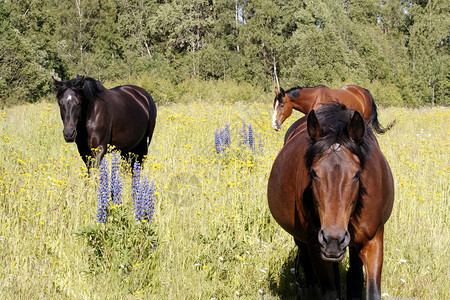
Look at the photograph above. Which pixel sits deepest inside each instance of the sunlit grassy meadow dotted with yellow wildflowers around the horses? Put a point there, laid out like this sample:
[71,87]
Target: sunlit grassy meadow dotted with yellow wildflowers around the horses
[212,235]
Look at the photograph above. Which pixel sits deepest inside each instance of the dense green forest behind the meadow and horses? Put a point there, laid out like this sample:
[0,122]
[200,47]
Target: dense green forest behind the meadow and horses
[182,50]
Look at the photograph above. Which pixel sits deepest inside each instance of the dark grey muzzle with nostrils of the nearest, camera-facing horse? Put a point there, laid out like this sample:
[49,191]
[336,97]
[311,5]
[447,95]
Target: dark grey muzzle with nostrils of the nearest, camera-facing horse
[333,244]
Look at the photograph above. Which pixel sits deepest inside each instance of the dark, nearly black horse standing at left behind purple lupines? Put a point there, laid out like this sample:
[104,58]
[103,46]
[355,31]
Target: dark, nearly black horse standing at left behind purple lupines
[95,117]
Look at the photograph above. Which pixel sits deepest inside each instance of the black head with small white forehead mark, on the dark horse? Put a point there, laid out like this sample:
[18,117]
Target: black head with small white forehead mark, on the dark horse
[69,95]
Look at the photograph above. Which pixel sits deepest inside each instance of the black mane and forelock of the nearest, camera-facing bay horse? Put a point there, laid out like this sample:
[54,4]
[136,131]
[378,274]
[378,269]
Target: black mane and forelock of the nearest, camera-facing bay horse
[334,118]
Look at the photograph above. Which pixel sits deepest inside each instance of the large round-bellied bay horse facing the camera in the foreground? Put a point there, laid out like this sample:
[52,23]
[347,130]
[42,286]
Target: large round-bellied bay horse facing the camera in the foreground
[331,188]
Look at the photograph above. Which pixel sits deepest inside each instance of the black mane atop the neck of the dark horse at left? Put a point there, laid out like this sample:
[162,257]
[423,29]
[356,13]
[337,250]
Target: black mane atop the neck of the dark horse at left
[89,92]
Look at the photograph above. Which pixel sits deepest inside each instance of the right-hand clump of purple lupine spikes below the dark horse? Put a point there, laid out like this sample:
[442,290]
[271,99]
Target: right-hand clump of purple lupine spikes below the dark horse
[143,195]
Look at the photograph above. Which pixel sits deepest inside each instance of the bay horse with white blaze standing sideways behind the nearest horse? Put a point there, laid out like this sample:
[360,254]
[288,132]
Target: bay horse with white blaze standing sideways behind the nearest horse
[305,99]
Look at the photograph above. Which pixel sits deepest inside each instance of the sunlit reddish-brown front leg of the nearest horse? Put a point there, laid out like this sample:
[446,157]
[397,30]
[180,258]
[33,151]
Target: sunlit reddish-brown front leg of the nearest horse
[371,255]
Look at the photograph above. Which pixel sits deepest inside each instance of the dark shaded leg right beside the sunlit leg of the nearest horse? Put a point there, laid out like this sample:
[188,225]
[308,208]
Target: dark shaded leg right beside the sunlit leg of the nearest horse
[355,276]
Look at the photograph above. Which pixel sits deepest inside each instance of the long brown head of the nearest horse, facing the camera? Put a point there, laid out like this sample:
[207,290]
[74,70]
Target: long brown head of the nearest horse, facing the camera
[335,168]
